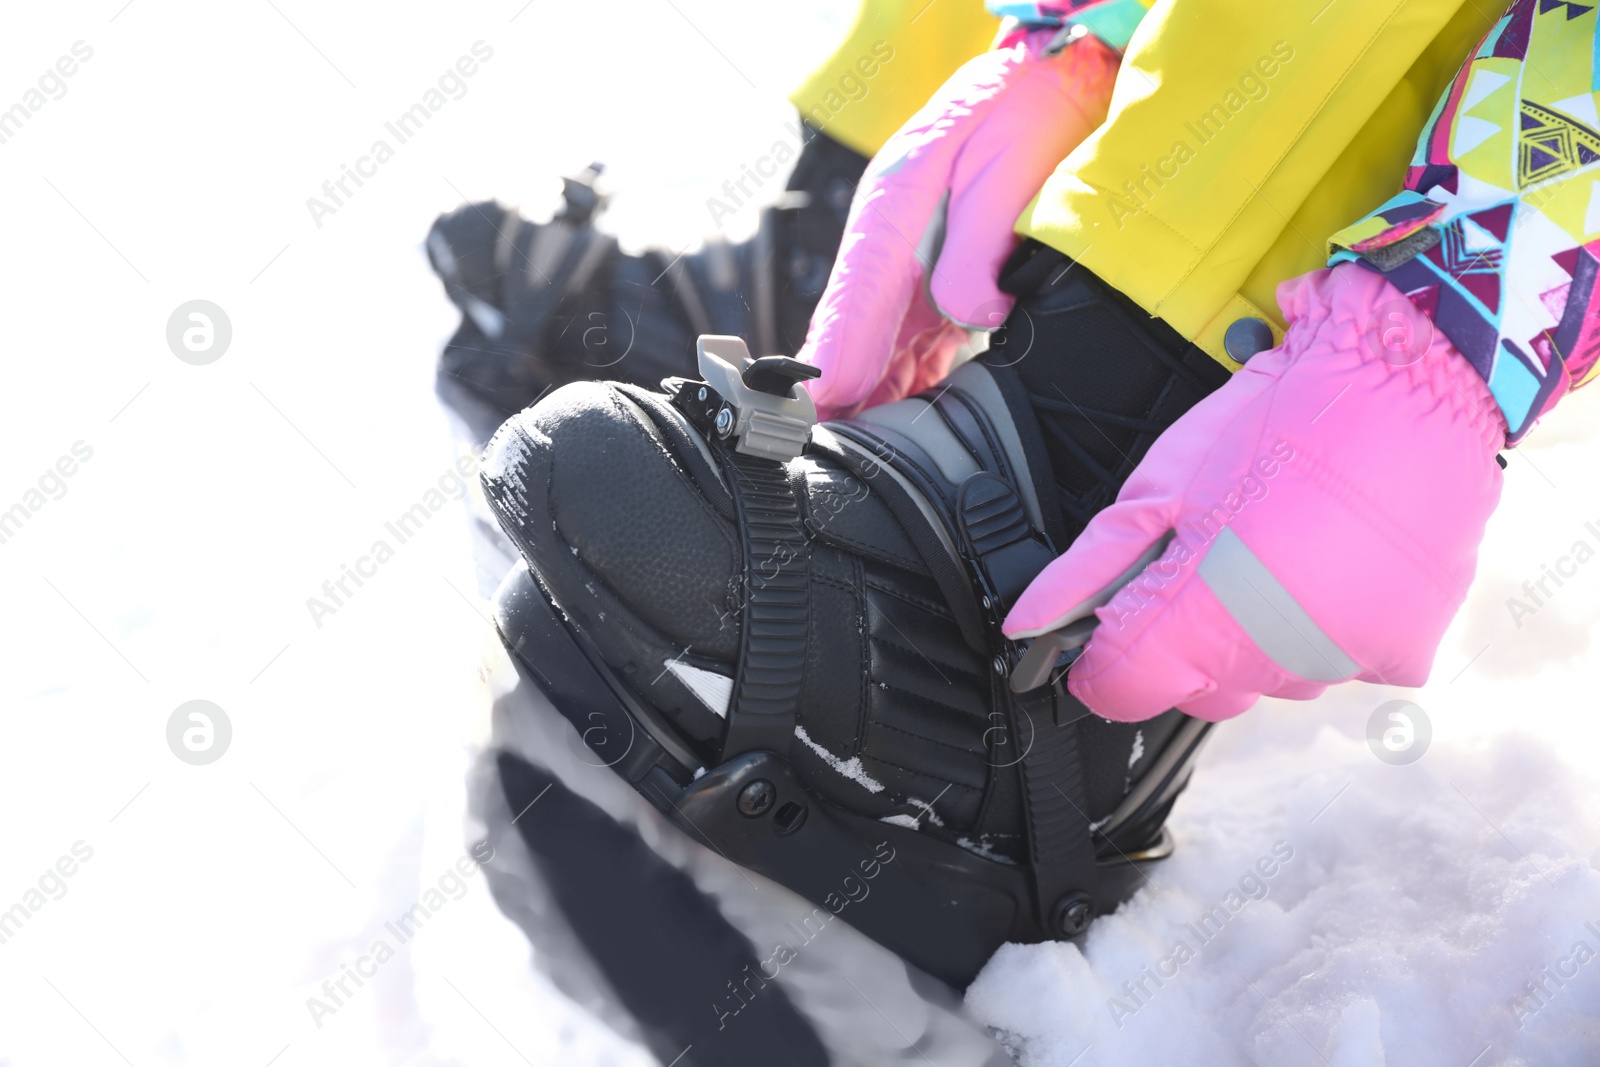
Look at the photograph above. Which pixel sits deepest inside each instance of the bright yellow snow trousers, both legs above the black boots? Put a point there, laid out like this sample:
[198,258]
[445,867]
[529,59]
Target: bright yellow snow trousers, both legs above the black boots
[1241,137]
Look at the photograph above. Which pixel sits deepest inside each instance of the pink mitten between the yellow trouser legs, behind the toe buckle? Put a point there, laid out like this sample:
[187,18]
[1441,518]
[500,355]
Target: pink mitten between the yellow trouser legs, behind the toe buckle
[942,199]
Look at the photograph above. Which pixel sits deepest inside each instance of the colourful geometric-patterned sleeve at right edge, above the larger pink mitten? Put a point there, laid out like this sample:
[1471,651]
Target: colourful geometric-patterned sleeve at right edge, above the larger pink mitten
[1497,236]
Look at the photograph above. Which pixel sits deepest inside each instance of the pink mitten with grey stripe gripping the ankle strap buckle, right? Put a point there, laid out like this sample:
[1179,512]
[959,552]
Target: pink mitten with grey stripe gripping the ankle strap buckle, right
[1314,521]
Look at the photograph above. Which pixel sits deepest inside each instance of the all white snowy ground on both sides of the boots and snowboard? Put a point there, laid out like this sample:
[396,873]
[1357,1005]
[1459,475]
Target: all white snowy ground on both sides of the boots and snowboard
[188,914]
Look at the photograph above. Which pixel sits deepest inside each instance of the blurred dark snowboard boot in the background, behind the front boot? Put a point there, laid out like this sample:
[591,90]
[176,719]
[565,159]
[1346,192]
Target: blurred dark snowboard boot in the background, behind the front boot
[546,305]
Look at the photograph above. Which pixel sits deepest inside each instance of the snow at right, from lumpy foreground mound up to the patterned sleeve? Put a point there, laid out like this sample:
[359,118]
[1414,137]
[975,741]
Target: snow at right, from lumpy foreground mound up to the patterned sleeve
[1420,901]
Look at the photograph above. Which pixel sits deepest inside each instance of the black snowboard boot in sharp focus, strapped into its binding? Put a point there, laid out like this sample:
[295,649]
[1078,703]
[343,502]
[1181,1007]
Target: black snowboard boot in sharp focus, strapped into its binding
[788,637]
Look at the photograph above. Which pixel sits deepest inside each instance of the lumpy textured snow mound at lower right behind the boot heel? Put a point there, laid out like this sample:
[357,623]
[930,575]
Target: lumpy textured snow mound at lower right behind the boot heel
[1327,908]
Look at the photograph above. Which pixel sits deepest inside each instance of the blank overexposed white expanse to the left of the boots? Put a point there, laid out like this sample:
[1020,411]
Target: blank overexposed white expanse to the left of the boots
[220,498]
